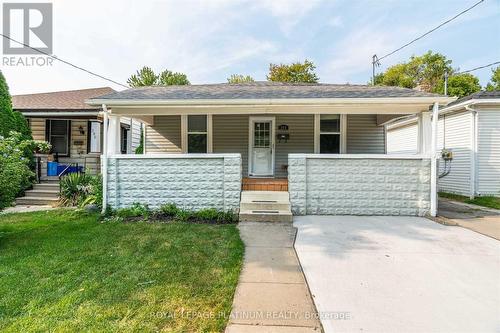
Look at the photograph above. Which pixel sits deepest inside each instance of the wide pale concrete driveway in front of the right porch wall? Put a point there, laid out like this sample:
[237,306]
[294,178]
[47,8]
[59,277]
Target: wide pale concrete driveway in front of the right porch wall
[399,274]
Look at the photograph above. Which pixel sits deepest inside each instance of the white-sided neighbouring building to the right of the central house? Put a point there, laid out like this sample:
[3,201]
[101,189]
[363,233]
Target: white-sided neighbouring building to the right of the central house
[470,129]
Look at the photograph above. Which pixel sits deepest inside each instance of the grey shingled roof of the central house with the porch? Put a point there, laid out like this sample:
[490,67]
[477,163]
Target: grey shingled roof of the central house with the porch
[262,90]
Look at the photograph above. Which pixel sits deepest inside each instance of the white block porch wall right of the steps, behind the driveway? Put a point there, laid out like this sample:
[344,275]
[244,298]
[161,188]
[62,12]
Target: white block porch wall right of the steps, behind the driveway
[359,185]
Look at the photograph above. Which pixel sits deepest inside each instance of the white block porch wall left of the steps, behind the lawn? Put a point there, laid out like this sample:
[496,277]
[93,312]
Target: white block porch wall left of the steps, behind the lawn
[189,181]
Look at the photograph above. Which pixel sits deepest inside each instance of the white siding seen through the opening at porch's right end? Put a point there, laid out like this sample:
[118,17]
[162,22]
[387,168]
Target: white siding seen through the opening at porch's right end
[403,140]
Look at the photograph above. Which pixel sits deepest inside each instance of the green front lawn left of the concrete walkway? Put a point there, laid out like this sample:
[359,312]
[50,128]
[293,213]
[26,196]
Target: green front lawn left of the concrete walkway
[64,271]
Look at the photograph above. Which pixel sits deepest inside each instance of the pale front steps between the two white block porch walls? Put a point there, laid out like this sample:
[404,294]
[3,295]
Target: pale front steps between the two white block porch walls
[265,206]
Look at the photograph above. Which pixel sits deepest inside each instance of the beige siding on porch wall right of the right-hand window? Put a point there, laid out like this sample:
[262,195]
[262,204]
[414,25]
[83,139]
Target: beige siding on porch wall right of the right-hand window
[363,135]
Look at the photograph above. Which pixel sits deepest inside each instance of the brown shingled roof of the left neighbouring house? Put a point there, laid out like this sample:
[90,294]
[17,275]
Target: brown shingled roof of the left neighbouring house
[59,100]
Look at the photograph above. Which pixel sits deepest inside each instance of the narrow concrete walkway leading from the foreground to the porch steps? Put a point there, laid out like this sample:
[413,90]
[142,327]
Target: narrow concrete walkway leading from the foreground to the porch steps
[272,295]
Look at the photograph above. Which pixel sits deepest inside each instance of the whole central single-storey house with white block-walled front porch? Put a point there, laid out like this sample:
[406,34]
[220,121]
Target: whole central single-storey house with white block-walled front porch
[324,144]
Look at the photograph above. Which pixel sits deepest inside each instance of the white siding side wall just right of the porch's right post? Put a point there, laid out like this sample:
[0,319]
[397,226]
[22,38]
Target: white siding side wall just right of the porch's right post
[457,138]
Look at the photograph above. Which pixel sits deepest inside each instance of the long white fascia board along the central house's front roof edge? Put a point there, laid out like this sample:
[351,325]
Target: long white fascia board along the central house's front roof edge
[275,101]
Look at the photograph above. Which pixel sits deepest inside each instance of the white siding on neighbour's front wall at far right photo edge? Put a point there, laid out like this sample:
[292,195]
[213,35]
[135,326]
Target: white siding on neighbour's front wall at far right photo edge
[488,155]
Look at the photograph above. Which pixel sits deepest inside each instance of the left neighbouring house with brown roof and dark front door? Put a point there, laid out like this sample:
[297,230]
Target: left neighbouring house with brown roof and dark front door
[72,127]
